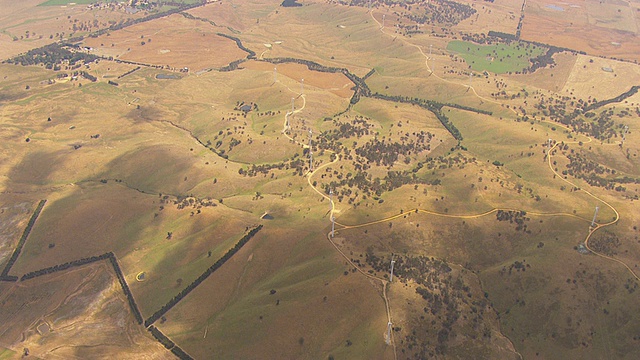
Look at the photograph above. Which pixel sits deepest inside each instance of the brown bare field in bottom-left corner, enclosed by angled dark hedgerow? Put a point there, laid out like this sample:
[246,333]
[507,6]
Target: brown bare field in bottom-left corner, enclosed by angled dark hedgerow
[79,313]
